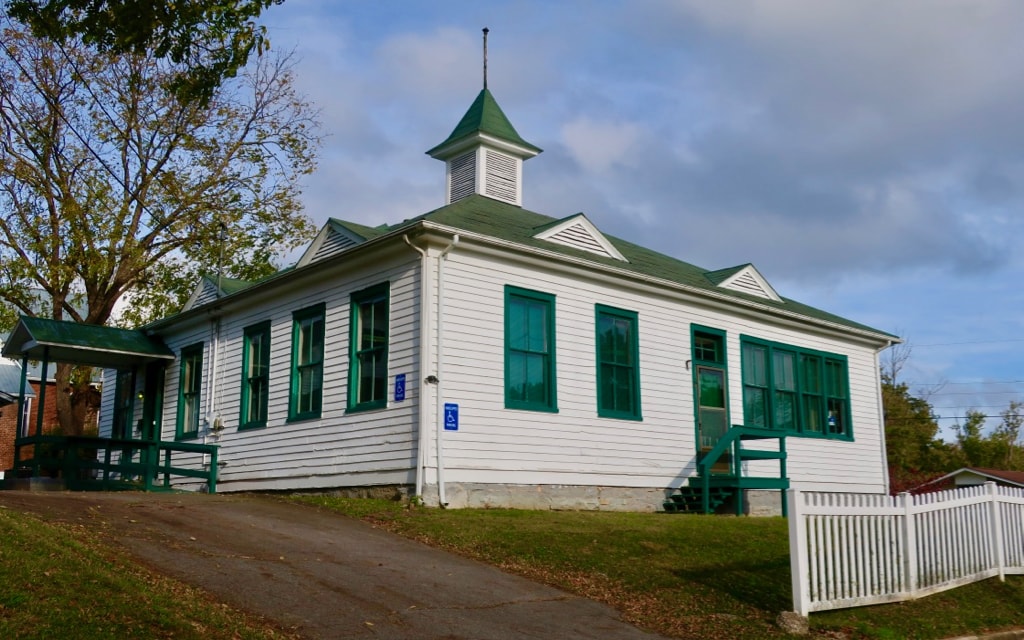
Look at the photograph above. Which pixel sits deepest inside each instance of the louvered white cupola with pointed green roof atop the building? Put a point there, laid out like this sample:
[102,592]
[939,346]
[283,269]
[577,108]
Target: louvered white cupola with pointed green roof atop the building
[485,154]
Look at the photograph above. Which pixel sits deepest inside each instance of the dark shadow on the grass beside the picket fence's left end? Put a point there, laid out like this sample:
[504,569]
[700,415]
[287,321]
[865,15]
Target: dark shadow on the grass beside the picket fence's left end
[764,585]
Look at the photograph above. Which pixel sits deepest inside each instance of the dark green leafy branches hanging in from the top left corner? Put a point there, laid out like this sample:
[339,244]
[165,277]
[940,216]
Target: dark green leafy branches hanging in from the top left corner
[210,40]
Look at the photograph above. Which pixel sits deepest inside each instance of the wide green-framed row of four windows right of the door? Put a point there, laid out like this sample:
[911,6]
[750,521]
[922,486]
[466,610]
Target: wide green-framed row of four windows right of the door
[796,391]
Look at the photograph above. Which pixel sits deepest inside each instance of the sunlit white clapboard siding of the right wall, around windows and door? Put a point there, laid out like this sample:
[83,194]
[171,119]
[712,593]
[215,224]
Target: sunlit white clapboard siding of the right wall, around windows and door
[575,447]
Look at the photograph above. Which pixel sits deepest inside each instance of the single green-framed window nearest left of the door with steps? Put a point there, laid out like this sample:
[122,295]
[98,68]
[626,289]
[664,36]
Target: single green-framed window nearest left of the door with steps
[618,349]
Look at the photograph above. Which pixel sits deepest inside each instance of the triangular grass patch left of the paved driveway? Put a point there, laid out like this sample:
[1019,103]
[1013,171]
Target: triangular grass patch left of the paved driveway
[60,582]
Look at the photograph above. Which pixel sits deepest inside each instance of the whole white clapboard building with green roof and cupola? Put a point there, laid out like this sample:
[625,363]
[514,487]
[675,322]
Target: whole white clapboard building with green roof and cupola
[483,355]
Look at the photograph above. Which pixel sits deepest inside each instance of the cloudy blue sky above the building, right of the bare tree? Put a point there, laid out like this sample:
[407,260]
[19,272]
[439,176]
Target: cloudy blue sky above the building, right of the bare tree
[867,157]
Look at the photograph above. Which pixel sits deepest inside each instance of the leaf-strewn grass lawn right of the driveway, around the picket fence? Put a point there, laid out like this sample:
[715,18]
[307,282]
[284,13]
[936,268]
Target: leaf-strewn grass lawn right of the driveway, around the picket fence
[681,576]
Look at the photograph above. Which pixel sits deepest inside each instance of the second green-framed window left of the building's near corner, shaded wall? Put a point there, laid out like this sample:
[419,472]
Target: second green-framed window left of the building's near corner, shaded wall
[308,363]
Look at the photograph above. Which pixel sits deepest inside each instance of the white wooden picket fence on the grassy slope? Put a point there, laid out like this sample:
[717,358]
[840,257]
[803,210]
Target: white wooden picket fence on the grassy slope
[858,549]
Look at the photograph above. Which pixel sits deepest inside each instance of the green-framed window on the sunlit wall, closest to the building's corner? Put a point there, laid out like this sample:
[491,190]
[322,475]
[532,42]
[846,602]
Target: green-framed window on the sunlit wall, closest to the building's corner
[530,351]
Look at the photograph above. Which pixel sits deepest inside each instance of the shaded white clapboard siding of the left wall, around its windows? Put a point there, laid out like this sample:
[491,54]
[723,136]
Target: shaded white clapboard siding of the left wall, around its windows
[338,449]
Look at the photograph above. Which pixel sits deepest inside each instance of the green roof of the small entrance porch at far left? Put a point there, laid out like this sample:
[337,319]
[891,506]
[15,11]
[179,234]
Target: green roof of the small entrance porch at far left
[95,346]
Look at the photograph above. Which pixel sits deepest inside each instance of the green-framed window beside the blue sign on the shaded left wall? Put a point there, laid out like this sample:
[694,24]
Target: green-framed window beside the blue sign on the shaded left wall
[368,349]
